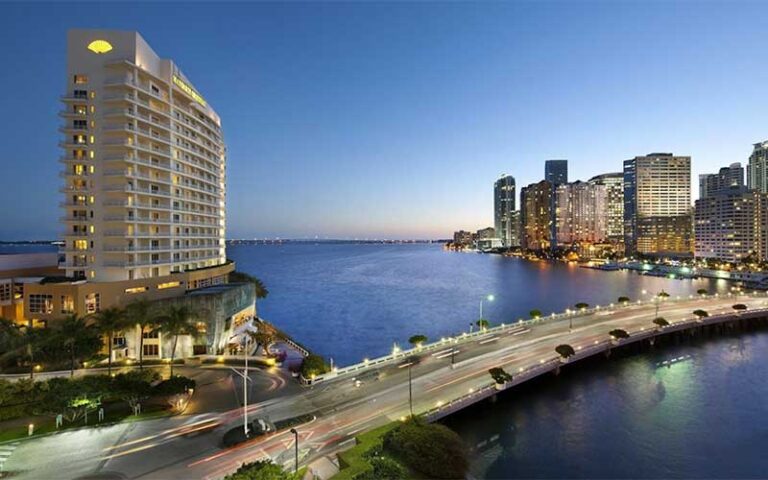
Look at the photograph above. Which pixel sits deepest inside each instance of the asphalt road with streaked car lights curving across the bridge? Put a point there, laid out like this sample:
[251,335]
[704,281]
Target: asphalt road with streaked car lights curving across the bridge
[186,447]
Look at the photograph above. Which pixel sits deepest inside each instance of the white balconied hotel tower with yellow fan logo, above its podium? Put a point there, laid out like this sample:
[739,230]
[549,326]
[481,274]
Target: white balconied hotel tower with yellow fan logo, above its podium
[144,164]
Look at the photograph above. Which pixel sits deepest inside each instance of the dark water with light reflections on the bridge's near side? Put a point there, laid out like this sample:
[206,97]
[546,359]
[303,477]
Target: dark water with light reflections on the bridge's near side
[644,416]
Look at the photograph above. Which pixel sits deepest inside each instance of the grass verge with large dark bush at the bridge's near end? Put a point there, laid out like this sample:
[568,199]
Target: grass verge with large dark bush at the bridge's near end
[408,449]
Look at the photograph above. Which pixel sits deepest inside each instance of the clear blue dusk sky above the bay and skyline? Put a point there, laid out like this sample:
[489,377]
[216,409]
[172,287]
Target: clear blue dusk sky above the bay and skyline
[393,120]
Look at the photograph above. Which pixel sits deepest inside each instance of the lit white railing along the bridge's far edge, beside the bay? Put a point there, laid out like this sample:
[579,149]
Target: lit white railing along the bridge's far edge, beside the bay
[445,342]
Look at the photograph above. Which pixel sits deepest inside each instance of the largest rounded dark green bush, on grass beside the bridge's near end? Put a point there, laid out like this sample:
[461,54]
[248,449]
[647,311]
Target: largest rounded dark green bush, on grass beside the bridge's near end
[431,449]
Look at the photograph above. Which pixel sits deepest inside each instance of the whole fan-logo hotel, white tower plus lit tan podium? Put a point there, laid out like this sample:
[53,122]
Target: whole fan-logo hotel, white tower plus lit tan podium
[144,169]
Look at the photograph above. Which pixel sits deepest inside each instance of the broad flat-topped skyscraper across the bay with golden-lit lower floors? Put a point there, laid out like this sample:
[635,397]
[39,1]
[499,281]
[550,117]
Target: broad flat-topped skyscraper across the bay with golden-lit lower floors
[657,204]
